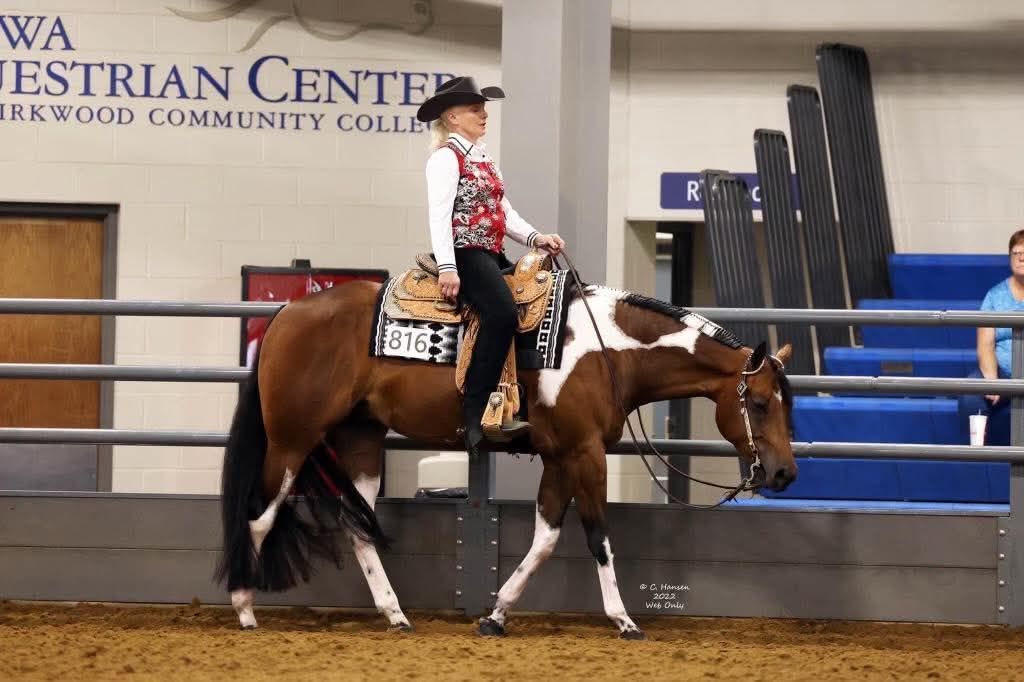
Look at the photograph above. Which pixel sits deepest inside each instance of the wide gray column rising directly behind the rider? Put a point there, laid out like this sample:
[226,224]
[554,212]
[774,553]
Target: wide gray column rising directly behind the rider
[557,61]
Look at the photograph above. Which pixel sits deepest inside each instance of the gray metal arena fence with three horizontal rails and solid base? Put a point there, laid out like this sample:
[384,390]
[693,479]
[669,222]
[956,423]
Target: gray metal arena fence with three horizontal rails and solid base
[486,548]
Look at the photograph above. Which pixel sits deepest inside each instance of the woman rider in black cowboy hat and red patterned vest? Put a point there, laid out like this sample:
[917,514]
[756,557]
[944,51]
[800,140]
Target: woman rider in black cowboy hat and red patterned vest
[470,219]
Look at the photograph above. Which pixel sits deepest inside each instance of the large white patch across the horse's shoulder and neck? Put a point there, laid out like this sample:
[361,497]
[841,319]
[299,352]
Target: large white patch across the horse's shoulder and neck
[585,340]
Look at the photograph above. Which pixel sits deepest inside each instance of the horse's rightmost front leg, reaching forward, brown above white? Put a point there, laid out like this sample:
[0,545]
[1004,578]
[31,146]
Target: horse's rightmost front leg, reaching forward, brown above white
[592,504]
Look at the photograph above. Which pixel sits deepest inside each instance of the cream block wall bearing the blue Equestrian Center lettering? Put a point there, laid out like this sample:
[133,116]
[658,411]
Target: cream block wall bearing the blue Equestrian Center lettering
[196,204]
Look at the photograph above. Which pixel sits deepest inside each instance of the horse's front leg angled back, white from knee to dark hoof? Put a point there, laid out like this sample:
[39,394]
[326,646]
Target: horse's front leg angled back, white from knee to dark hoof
[552,500]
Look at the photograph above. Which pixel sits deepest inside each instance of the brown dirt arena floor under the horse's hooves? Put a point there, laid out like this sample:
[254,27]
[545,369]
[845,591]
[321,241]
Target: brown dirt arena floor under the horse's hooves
[99,643]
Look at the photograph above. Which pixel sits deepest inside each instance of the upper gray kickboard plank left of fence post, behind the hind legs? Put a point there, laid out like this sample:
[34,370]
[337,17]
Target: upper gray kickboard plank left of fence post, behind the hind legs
[176,524]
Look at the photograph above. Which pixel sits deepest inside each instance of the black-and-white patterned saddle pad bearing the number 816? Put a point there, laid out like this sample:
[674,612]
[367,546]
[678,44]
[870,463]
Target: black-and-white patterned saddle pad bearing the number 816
[440,343]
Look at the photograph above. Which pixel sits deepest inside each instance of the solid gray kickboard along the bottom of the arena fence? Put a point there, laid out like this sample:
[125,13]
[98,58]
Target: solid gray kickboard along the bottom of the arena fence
[772,564]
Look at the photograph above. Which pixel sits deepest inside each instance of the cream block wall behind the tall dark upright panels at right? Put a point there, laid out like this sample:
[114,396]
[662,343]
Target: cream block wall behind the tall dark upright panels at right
[947,116]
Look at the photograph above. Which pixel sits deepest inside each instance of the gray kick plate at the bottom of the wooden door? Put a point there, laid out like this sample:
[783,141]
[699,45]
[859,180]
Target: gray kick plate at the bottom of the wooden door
[50,467]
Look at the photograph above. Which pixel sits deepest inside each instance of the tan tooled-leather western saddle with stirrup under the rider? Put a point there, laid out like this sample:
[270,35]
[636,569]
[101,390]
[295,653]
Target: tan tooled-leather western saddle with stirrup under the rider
[417,296]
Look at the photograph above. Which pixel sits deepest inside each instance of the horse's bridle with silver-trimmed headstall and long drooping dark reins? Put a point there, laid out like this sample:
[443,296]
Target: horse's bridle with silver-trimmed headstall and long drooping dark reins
[747,485]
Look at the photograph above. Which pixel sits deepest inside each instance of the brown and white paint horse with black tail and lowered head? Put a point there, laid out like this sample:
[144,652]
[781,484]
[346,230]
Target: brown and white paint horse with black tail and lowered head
[315,385]
